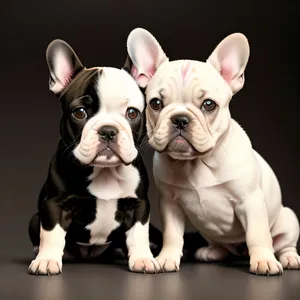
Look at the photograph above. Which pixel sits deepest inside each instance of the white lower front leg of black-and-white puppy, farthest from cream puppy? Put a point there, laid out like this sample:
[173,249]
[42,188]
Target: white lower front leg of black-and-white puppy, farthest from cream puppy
[49,258]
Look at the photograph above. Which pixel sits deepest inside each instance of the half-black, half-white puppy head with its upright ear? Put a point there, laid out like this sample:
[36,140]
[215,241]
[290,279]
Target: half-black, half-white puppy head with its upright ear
[103,108]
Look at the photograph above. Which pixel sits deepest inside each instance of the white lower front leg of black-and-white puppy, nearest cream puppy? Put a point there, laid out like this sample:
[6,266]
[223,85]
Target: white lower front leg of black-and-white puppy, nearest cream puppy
[140,256]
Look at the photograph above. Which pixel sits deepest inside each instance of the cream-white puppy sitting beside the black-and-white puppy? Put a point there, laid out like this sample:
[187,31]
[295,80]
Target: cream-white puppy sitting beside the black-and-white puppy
[204,165]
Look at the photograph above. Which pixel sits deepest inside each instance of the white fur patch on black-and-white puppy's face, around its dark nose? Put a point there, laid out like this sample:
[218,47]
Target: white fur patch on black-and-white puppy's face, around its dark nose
[114,103]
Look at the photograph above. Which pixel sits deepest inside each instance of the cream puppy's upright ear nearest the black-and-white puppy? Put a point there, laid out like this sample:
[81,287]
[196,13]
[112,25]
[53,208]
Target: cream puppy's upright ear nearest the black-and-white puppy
[144,54]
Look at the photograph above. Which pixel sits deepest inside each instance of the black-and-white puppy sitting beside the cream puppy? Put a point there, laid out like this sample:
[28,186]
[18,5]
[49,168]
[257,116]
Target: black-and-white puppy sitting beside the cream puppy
[97,184]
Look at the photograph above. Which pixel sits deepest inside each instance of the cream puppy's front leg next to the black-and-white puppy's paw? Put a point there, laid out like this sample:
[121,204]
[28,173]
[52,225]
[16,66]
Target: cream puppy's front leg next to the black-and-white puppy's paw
[173,223]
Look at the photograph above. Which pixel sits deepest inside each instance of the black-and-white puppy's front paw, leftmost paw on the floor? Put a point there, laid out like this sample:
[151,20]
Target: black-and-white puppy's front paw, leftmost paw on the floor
[45,267]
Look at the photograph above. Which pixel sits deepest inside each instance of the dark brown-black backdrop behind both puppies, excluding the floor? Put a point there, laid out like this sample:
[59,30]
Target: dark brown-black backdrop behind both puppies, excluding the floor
[97,30]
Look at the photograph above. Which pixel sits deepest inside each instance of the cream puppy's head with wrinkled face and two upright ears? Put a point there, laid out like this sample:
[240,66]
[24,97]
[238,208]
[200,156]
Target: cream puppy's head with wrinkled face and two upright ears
[187,101]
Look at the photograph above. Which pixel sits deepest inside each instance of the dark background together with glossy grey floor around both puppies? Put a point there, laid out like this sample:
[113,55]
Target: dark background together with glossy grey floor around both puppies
[97,30]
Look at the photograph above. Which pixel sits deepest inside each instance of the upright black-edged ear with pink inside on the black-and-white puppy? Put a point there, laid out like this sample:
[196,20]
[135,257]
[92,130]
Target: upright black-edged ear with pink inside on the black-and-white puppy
[63,65]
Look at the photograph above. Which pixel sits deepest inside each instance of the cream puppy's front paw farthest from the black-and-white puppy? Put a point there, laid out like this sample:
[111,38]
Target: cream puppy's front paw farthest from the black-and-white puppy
[263,262]
